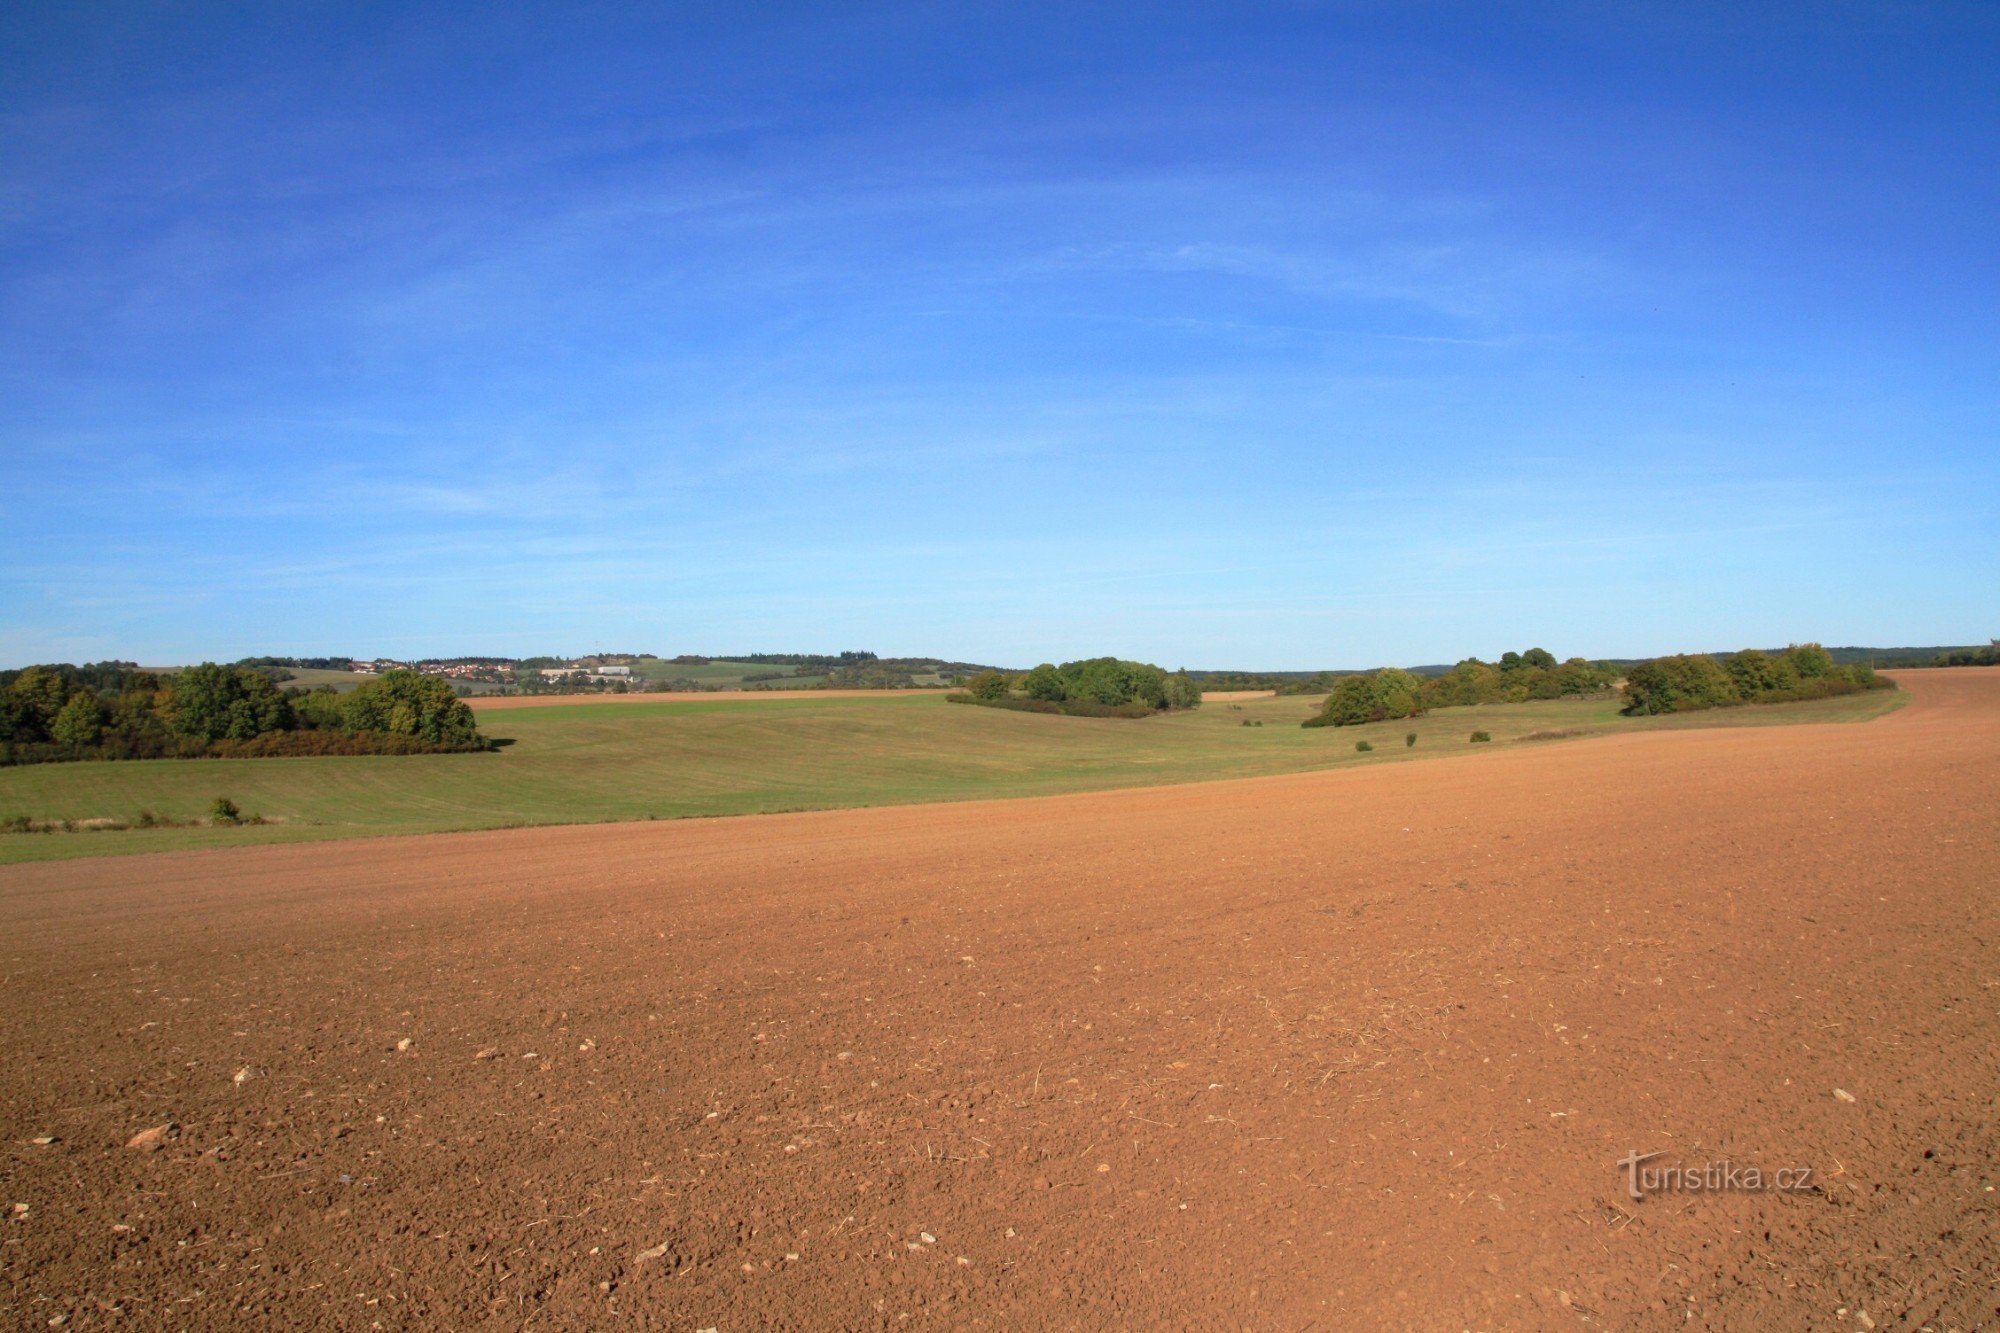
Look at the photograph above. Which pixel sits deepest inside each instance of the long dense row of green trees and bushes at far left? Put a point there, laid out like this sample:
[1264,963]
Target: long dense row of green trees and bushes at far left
[117,712]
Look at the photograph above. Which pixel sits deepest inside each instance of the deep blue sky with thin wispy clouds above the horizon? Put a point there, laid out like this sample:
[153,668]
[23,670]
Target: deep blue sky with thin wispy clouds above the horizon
[1239,335]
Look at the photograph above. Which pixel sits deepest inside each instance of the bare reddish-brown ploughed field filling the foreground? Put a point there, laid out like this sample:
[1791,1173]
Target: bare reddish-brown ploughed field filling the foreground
[1329,1052]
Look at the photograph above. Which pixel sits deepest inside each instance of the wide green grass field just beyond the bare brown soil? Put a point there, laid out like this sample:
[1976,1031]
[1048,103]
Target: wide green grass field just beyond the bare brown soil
[615,762]
